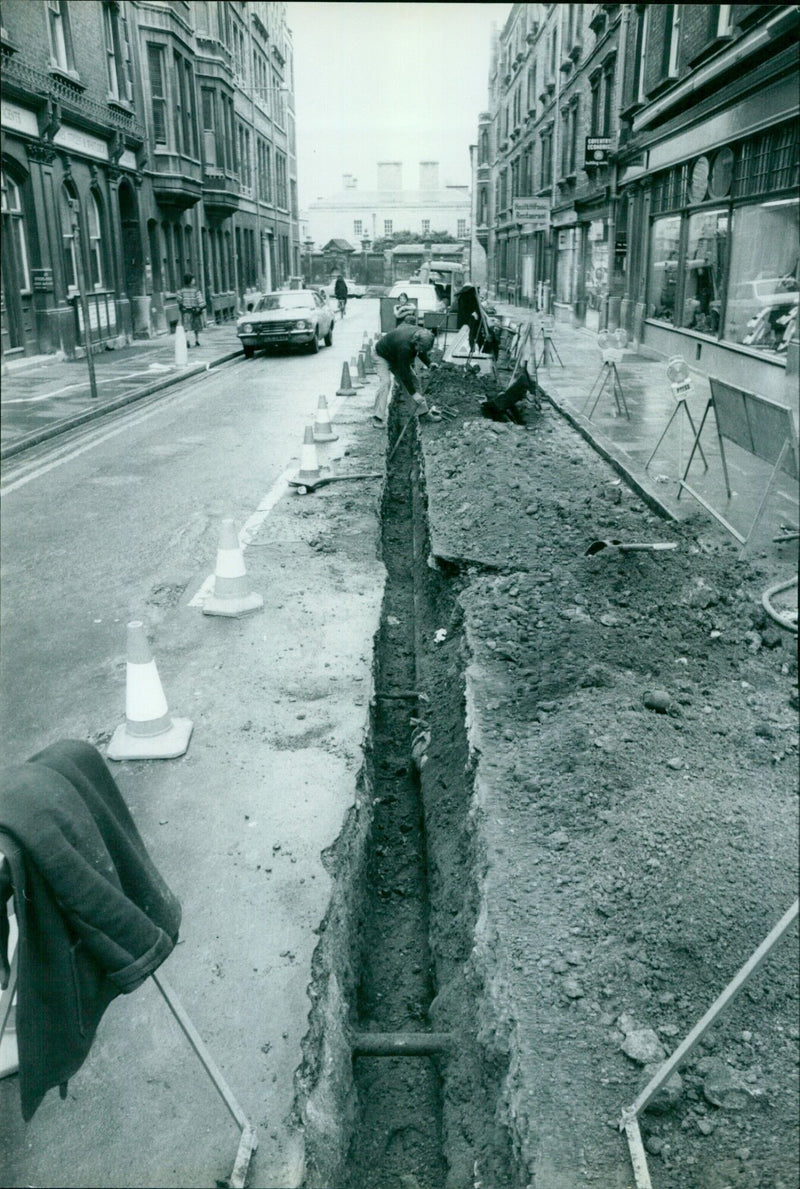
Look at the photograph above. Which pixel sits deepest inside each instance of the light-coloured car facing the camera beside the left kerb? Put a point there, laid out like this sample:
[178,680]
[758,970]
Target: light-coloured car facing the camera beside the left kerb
[289,318]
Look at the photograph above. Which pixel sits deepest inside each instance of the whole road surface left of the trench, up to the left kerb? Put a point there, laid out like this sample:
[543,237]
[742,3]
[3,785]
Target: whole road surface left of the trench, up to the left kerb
[119,521]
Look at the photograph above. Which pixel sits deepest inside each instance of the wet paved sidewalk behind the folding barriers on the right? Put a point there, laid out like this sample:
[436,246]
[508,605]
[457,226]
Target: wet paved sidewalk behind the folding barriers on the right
[631,442]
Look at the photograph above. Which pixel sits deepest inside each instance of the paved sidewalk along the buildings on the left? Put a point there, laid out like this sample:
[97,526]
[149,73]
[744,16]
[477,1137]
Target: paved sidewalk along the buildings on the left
[41,394]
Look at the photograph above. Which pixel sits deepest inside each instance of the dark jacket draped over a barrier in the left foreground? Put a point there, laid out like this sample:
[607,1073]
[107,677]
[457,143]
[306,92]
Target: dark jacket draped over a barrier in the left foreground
[96,919]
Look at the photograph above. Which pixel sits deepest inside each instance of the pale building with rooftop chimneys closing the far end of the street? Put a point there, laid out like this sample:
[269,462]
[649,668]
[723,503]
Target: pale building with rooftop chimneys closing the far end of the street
[355,215]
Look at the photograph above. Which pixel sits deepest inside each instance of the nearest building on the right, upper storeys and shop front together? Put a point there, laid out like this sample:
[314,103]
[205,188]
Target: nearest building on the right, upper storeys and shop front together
[708,174]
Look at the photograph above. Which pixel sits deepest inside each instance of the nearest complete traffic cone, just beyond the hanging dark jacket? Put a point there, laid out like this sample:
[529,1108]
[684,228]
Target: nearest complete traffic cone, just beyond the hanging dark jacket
[149,732]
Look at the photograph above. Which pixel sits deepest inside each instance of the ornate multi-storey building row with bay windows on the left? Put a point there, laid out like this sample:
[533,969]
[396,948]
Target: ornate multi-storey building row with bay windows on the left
[142,141]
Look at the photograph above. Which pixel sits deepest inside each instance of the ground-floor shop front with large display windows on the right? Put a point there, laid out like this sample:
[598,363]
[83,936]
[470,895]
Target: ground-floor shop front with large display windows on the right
[722,280]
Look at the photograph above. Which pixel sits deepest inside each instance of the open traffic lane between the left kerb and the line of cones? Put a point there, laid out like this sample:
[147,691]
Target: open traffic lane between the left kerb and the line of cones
[106,525]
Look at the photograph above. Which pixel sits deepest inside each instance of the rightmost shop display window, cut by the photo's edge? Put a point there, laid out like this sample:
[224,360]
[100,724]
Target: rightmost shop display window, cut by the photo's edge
[765,280]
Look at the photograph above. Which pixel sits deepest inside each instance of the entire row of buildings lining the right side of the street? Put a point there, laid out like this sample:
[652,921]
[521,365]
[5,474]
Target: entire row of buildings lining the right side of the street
[639,165]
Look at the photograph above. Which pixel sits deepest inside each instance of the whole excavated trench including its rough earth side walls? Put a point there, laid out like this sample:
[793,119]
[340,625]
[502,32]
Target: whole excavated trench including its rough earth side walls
[393,968]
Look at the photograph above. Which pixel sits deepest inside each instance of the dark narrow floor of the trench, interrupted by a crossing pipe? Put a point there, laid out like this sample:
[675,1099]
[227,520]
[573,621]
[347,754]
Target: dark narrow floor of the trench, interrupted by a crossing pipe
[398,1141]
